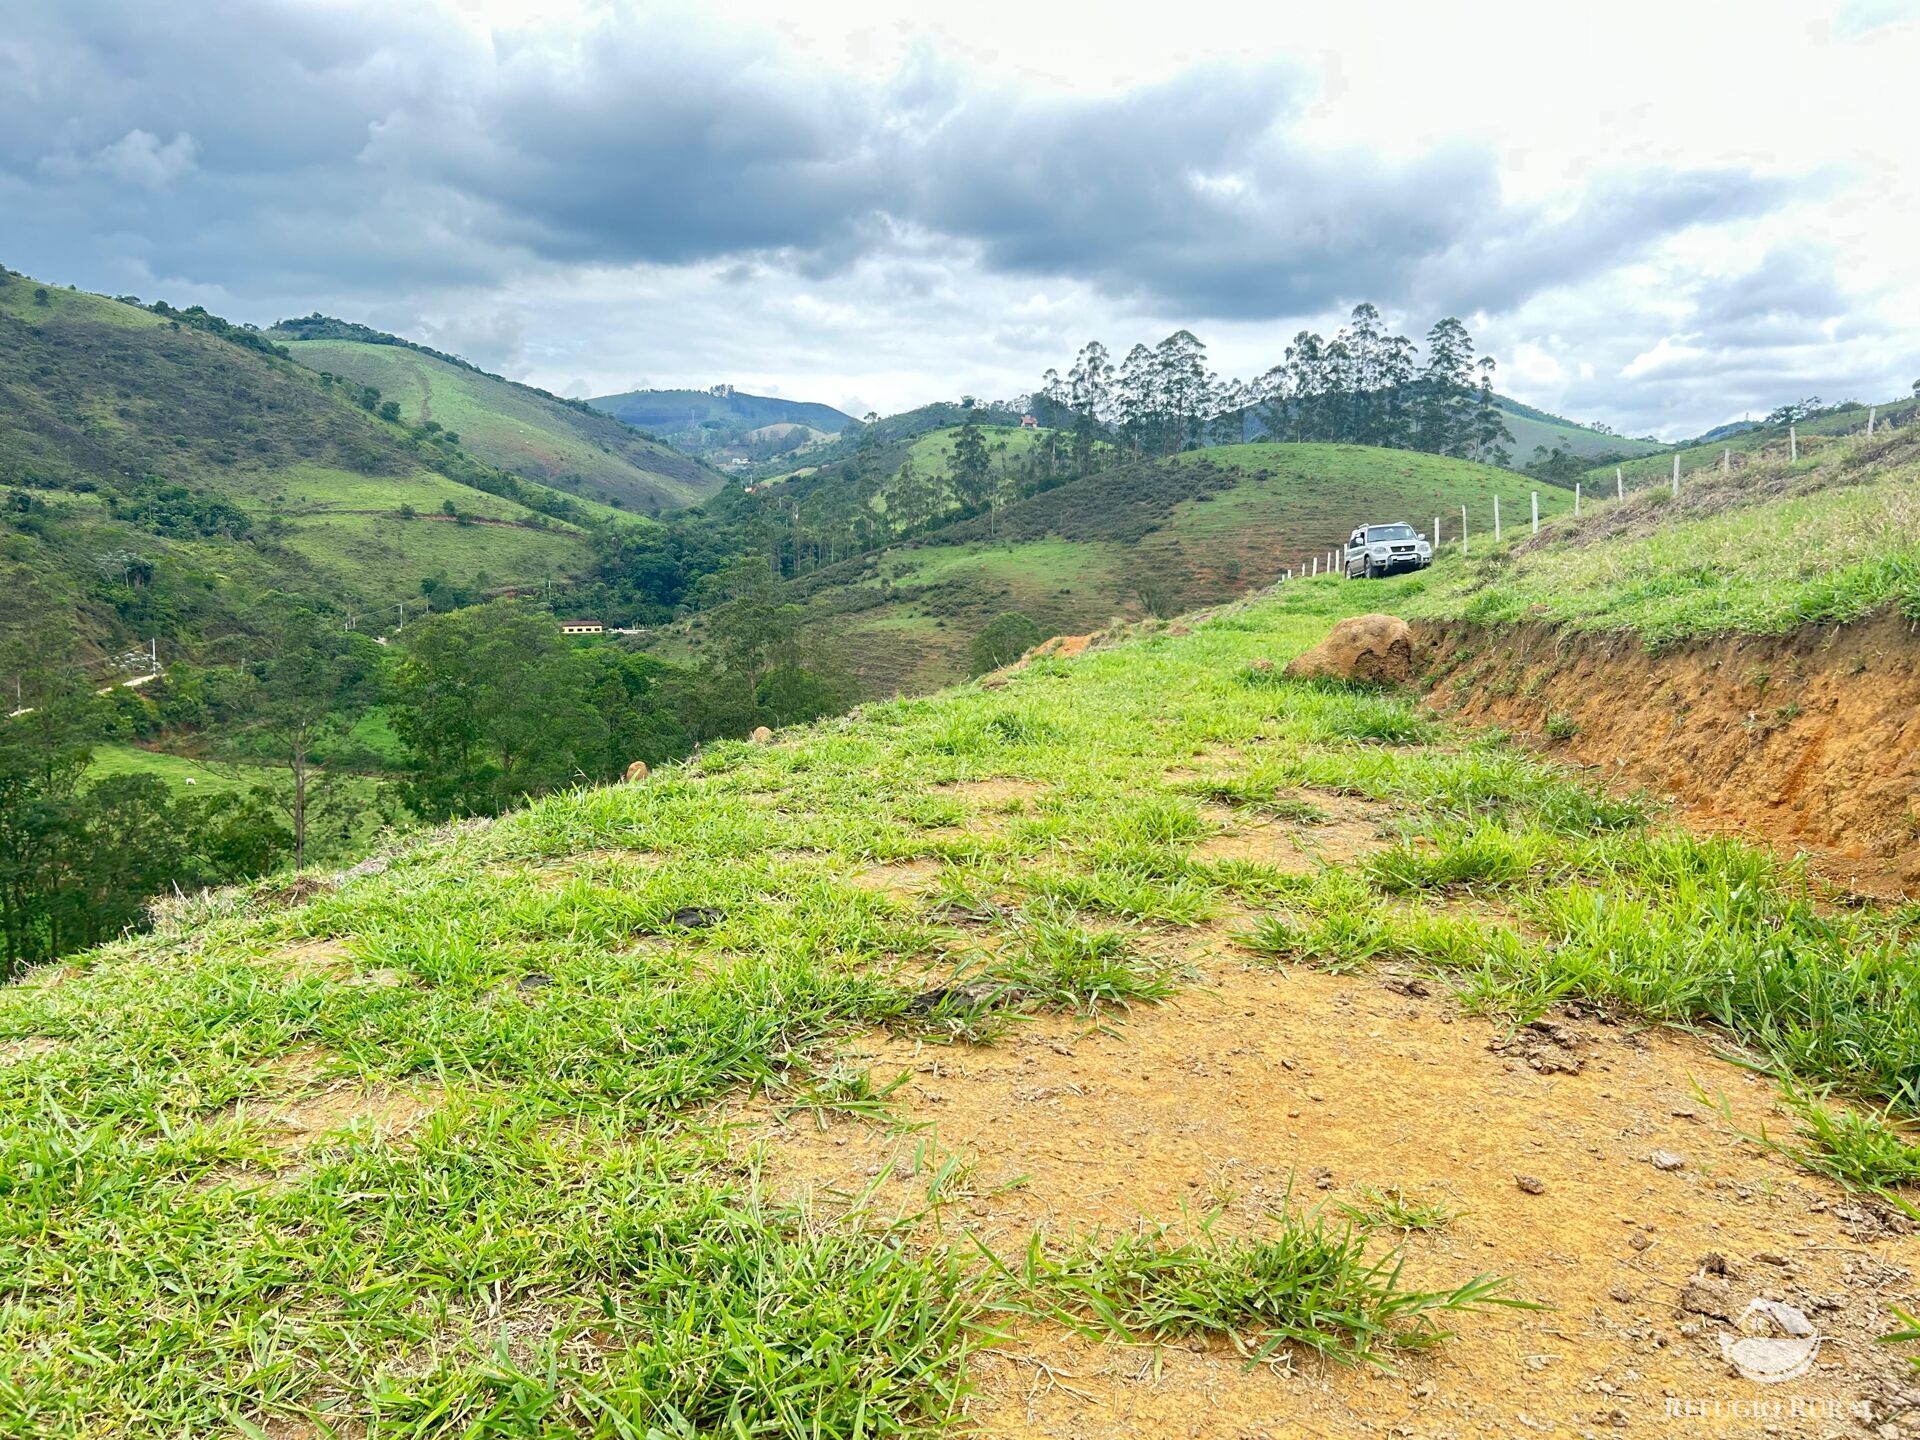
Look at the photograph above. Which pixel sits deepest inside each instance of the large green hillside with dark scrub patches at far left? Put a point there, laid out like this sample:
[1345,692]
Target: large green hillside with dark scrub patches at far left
[166,468]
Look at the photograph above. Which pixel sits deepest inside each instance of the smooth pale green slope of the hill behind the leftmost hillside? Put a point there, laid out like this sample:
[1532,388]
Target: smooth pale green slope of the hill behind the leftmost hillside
[539,437]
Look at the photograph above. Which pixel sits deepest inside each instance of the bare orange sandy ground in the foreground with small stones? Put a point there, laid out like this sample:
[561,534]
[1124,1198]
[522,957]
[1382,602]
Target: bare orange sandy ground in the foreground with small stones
[1257,1084]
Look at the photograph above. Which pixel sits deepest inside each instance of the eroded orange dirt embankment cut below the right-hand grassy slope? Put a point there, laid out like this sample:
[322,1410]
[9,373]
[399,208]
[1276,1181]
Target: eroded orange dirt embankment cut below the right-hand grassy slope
[1810,742]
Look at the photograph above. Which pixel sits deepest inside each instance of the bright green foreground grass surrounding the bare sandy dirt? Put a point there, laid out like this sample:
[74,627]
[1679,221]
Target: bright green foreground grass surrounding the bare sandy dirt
[567,1243]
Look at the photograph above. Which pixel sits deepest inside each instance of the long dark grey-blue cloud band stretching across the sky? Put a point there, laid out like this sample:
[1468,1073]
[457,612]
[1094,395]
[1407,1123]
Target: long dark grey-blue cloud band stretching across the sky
[283,151]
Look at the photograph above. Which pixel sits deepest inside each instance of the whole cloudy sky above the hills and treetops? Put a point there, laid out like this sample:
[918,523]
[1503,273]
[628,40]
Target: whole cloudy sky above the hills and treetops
[1660,216]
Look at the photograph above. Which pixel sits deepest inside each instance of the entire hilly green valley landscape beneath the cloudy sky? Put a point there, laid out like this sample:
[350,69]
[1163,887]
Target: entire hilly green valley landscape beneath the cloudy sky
[1118,1038]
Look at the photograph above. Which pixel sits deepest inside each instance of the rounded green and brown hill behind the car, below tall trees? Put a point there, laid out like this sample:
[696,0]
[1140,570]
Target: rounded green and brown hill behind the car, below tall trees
[1153,539]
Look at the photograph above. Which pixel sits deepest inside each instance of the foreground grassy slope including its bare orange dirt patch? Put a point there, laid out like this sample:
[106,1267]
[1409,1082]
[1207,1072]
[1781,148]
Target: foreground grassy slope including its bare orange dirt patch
[844,1086]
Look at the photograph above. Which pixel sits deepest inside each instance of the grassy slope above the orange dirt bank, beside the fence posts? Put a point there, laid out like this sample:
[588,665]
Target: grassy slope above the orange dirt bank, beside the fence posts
[1762,552]
